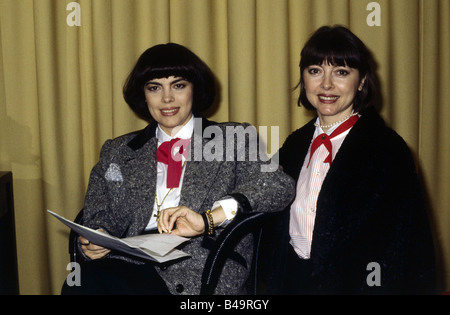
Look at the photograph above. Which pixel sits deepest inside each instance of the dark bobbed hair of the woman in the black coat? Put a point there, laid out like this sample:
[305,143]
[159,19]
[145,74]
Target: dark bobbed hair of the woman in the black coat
[338,46]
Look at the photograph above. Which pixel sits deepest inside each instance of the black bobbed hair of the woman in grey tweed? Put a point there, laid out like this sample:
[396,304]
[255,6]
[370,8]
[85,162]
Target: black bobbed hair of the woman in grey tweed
[163,61]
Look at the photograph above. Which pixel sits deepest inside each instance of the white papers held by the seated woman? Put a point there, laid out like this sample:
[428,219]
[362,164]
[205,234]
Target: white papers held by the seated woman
[157,247]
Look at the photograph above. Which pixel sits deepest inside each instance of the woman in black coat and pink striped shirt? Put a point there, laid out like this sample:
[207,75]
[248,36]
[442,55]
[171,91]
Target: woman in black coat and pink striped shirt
[358,223]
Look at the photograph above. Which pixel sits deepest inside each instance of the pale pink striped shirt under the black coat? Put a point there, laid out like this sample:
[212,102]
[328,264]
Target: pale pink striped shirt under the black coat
[303,209]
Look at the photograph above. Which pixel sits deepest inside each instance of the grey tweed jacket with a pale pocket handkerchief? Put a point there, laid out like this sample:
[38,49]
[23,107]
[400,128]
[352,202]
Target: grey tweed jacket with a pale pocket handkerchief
[121,194]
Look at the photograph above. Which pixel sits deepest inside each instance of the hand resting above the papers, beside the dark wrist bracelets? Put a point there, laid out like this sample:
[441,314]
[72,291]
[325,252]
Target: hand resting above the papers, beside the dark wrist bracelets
[181,221]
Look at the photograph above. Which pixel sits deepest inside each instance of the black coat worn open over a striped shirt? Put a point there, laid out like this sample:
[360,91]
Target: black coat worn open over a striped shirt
[370,209]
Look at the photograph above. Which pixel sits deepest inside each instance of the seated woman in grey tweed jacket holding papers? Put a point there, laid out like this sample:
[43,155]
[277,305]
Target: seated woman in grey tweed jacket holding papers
[150,181]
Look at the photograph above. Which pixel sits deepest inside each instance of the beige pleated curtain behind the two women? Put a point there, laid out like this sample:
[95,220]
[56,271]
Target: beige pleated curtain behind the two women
[63,63]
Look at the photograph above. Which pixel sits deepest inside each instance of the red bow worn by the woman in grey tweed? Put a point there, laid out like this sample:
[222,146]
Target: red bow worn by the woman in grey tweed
[173,160]
